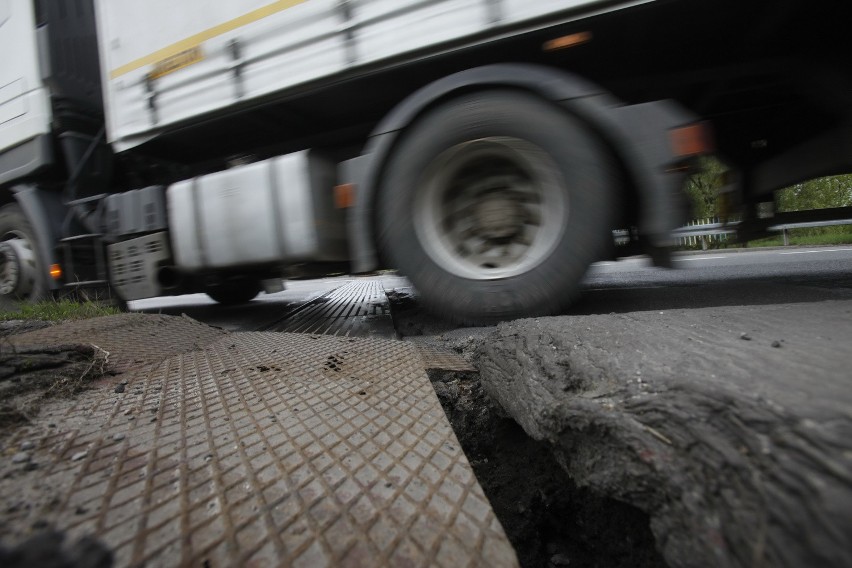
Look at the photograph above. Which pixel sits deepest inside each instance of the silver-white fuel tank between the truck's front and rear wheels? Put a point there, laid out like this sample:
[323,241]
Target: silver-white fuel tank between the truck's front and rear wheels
[276,211]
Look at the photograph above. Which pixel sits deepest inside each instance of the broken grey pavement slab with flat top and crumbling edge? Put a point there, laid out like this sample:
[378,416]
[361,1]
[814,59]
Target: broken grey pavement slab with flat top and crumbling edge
[729,426]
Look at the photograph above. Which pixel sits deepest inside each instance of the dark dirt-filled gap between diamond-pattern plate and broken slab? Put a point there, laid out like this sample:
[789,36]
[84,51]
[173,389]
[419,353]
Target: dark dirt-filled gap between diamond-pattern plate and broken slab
[550,520]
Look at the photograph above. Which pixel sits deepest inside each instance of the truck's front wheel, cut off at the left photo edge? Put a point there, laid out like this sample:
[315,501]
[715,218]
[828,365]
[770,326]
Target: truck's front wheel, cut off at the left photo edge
[23,275]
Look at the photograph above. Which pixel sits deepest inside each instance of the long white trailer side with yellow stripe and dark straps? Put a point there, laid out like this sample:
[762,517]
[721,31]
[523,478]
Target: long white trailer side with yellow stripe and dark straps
[167,62]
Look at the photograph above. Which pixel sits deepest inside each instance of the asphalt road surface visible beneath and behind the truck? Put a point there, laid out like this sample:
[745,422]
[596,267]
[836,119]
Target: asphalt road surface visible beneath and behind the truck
[716,278]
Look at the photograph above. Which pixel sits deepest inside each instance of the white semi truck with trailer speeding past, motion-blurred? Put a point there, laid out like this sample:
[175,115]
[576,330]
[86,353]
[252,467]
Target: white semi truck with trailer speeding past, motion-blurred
[485,148]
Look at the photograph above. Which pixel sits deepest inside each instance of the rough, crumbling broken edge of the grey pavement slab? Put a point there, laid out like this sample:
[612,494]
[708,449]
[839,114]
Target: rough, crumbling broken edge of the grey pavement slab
[727,478]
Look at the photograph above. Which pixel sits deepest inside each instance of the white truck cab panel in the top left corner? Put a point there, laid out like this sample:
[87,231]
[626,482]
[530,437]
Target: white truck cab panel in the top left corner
[24,101]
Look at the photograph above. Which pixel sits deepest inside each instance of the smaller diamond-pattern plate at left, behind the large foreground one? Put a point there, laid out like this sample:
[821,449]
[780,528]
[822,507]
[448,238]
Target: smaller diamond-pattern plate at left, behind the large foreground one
[130,339]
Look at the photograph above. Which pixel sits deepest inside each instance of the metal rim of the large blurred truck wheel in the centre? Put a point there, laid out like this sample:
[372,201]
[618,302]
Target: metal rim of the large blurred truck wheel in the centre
[490,208]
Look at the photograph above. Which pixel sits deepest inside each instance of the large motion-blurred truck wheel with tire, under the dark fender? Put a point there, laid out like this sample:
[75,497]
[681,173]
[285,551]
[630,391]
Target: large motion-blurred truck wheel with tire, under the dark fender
[494,205]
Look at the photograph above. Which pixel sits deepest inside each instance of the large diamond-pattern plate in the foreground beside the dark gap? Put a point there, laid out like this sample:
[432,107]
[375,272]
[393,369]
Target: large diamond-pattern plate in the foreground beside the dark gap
[270,449]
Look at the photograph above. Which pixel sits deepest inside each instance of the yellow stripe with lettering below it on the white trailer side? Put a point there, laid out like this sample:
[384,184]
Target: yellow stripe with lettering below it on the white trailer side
[161,57]
